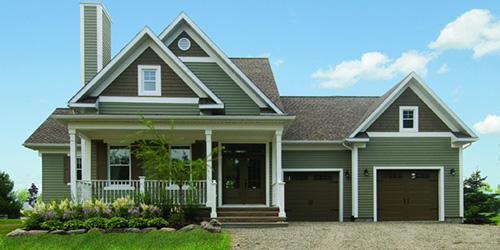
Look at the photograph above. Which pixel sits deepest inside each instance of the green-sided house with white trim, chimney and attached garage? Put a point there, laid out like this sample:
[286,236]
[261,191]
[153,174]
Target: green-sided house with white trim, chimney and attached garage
[334,158]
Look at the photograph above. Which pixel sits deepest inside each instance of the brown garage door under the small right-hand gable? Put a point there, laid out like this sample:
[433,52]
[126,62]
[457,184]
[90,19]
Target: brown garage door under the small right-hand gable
[407,195]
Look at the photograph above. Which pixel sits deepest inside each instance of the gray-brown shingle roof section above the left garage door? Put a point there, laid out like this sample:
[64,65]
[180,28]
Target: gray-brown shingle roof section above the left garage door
[324,118]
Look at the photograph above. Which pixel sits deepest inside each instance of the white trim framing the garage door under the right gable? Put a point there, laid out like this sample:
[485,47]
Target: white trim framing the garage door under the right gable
[440,186]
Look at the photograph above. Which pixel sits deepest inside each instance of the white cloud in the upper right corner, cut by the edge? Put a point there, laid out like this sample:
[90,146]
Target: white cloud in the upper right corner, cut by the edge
[476,29]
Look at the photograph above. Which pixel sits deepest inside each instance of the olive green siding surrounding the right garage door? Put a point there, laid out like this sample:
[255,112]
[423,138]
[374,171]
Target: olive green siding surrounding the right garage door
[408,152]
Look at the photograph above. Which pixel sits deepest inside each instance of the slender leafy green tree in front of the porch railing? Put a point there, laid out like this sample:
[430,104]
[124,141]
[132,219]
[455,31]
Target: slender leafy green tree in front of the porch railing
[151,148]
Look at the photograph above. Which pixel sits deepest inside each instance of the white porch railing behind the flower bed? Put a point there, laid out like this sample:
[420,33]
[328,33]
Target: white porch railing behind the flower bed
[150,189]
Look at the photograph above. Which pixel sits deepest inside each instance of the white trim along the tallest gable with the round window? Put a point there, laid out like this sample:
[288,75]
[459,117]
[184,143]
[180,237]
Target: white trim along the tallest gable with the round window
[218,53]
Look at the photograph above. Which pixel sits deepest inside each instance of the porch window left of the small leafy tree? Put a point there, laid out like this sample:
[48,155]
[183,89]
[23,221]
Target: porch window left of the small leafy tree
[119,163]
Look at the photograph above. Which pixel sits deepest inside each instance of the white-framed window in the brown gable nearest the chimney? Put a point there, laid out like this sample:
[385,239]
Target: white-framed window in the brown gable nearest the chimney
[149,80]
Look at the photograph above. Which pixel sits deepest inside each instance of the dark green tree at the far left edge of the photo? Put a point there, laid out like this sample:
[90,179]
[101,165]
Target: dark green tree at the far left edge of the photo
[9,205]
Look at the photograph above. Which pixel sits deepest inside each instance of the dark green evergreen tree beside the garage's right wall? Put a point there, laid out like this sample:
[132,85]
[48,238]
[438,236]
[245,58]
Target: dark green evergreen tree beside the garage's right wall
[479,205]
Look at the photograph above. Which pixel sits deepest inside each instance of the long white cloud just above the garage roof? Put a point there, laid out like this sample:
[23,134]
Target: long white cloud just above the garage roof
[373,66]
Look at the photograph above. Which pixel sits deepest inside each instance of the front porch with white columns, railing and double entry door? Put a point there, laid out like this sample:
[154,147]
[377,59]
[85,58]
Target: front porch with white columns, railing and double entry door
[247,173]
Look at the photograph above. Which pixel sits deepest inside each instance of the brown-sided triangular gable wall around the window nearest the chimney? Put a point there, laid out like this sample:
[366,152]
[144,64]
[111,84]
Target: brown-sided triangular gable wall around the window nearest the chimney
[126,84]
